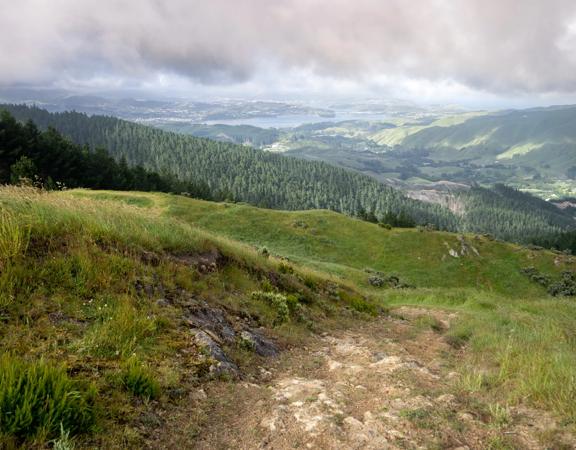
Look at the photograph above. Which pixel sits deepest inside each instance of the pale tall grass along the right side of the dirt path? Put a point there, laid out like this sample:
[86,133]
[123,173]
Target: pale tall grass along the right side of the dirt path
[521,350]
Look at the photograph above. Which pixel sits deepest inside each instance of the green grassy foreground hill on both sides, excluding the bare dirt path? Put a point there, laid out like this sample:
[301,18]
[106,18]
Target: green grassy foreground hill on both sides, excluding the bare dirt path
[118,305]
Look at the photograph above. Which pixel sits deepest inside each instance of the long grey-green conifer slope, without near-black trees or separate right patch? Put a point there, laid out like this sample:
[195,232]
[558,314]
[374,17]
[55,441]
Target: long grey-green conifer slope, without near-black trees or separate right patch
[237,172]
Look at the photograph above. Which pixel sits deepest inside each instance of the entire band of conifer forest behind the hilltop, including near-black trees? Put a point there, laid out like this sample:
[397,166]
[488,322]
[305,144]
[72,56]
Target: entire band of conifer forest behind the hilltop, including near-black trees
[146,158]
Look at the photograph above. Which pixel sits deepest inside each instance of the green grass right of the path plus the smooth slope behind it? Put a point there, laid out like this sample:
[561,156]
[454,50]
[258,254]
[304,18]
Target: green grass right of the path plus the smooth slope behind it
[520,341]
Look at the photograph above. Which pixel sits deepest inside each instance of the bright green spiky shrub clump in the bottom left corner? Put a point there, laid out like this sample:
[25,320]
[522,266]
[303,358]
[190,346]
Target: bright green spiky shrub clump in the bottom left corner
[37,400]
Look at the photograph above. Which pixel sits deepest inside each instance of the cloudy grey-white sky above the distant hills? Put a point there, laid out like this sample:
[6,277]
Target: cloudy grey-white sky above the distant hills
[469,52]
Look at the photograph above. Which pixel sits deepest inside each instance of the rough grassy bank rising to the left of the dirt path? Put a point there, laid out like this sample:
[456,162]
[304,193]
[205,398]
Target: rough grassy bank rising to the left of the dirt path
[81,282]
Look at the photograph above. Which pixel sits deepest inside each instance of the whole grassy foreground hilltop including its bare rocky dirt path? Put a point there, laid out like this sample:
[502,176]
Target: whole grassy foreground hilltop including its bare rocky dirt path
[160,312]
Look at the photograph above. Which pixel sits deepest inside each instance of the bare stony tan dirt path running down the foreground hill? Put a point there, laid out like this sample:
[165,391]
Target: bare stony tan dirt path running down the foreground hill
[389,385]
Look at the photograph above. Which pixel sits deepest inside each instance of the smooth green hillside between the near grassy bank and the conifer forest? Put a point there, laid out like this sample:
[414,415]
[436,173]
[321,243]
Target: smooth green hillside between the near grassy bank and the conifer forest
[346,247]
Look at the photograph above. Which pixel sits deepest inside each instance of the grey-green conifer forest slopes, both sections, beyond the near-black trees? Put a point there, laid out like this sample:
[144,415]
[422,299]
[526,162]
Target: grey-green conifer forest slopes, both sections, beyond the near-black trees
[241,173]
